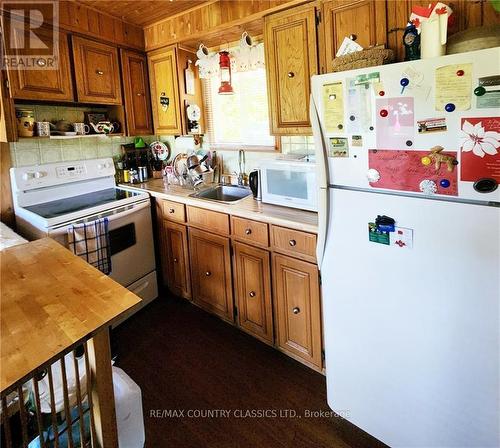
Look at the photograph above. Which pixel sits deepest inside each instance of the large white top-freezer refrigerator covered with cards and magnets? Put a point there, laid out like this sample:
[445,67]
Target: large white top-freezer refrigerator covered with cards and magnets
[408,247]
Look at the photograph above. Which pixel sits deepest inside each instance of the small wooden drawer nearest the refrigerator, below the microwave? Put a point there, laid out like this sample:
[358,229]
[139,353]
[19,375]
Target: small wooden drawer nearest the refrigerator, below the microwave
[294,242]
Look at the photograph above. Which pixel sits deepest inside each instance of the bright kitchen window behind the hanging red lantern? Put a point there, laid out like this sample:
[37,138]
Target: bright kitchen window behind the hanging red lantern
[240,120]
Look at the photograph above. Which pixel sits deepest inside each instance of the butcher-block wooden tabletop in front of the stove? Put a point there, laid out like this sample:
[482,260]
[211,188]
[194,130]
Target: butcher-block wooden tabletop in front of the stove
[51,299]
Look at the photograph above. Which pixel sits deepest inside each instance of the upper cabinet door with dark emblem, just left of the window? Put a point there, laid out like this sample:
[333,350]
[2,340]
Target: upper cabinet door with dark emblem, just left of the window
[165,91]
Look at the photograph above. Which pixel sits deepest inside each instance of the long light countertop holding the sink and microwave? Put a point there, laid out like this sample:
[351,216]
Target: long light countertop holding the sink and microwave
[247,208]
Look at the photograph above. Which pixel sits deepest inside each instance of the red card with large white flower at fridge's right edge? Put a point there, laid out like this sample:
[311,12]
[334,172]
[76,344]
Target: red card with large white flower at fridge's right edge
[480,153]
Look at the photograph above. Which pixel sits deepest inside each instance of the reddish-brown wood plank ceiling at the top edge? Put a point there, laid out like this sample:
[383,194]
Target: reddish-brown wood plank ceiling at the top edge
[142,12]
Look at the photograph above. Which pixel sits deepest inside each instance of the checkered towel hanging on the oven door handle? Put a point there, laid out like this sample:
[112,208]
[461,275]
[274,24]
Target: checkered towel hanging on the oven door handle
[90,241]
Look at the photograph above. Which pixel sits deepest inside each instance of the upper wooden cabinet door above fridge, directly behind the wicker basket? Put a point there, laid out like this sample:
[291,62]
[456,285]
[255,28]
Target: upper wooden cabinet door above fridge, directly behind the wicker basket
[363,21]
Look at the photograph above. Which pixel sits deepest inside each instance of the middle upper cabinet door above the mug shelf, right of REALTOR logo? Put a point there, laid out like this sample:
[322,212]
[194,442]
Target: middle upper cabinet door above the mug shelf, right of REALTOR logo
[97,72]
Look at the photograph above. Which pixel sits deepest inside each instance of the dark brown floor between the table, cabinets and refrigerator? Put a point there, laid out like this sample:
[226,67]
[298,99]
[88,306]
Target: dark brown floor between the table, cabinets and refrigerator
[188,362]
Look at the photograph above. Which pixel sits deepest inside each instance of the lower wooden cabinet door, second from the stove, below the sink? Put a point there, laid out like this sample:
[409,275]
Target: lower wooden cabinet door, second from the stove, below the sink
[210,261]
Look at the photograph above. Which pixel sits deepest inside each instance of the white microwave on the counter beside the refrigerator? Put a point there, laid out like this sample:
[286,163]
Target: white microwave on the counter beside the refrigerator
[290,183]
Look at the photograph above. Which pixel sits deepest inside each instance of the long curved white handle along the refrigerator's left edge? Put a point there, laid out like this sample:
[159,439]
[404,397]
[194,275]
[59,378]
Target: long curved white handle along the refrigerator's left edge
[322,170]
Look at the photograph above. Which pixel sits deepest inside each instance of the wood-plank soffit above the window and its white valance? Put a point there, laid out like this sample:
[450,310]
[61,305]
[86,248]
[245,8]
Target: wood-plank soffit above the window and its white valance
[212,17]
